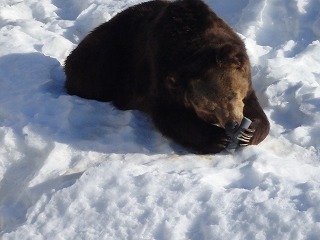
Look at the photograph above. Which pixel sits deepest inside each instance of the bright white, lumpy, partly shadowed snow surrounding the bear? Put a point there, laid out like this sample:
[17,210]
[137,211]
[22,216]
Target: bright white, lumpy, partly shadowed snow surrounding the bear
[77,169]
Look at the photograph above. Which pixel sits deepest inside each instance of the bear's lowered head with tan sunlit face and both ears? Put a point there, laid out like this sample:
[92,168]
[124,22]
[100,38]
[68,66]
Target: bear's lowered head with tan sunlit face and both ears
[214,84]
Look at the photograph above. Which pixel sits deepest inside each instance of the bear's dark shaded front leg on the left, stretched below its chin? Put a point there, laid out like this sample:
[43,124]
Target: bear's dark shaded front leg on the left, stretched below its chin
[184,127]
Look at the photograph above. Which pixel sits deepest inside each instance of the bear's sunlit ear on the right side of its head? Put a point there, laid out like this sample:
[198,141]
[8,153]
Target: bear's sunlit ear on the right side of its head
[231,55]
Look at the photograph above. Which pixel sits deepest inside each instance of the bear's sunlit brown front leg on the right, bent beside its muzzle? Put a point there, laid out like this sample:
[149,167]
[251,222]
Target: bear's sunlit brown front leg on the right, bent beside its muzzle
[260,123]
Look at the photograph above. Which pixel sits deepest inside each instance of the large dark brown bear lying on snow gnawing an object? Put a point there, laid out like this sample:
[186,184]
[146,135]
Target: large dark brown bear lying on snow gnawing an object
[179,63]
